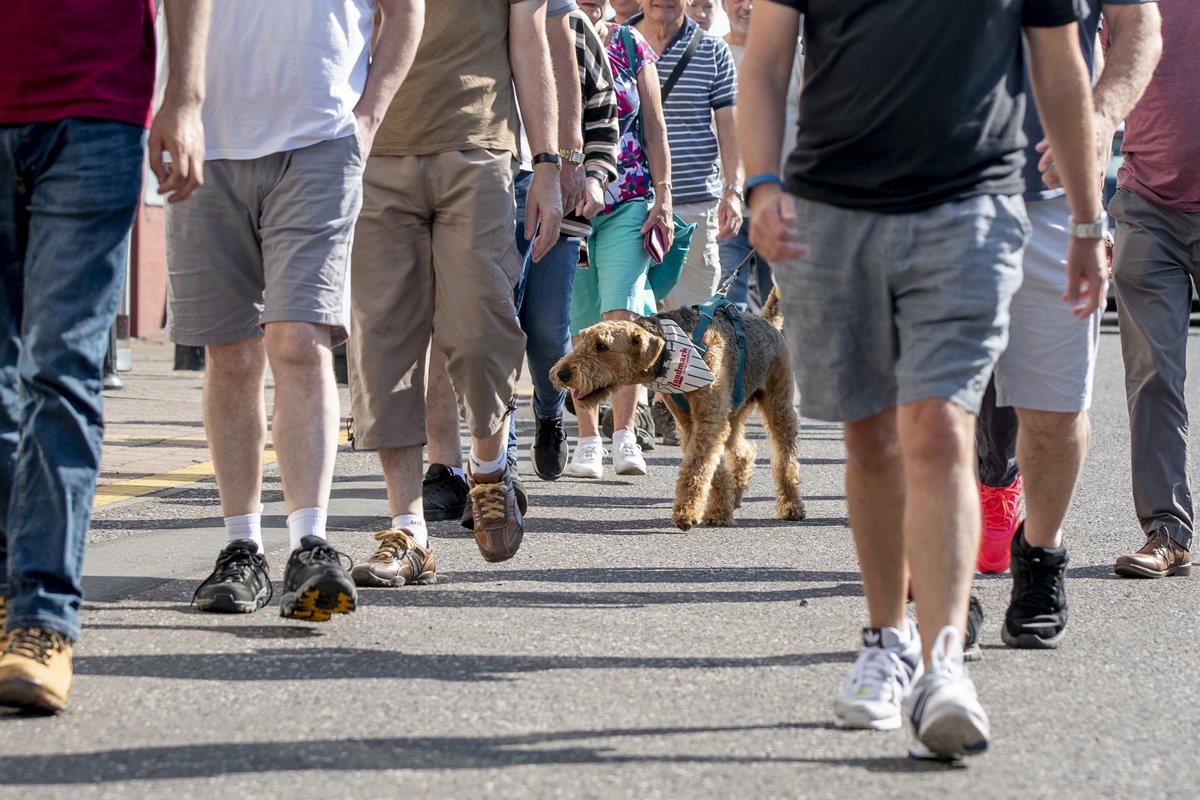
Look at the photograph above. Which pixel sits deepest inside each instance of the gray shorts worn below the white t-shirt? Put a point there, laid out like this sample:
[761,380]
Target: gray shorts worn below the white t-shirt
[265,240]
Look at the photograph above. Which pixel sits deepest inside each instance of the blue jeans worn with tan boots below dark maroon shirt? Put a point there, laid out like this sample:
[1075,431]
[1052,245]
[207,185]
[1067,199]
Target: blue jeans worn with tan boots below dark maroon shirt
[69,191]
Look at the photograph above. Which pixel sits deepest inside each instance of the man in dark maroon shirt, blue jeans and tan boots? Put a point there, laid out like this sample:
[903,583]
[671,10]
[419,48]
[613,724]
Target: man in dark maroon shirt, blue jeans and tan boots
[76,83]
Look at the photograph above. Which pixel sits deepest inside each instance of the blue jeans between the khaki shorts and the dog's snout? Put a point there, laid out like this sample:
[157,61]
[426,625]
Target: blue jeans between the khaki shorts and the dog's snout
[544,305]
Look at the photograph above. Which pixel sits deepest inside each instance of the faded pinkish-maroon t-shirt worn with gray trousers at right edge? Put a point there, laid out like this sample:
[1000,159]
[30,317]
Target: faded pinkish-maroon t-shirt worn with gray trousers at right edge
[1162,141]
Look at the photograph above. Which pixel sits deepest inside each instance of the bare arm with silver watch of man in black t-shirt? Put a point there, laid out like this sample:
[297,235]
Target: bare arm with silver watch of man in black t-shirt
[1065,100]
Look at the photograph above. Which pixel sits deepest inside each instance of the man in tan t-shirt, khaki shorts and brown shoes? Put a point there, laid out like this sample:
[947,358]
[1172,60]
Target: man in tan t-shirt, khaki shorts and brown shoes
[435,258]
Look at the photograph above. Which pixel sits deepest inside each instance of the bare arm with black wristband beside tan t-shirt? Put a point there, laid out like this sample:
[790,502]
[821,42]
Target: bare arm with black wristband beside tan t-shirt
[530,59]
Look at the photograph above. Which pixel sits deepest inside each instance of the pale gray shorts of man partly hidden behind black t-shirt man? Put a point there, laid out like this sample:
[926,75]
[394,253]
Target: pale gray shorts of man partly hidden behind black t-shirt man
[1051,359]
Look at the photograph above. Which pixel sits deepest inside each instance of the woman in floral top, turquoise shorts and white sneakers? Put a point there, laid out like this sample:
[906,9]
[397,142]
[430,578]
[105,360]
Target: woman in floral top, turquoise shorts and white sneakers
[615,286]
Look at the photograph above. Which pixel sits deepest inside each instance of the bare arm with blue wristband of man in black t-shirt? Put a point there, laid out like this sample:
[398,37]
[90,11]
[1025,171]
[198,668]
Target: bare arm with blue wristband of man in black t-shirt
[763,95]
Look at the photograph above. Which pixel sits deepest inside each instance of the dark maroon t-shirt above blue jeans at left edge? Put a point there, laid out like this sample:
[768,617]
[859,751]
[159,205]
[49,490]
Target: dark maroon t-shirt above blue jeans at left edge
[76,58]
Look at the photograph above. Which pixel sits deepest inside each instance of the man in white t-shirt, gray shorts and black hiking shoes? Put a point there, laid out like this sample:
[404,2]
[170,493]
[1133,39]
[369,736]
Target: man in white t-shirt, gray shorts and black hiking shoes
[257,267]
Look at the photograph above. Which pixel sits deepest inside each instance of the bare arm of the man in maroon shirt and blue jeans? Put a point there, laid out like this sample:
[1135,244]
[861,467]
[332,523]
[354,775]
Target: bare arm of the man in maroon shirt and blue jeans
[177,128]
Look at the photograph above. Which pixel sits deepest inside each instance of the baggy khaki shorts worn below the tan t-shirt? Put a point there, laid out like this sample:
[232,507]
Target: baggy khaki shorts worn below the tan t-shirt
[435,256]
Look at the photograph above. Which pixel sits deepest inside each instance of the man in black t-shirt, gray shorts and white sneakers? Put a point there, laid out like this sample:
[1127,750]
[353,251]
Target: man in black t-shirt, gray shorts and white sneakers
[898,249]
